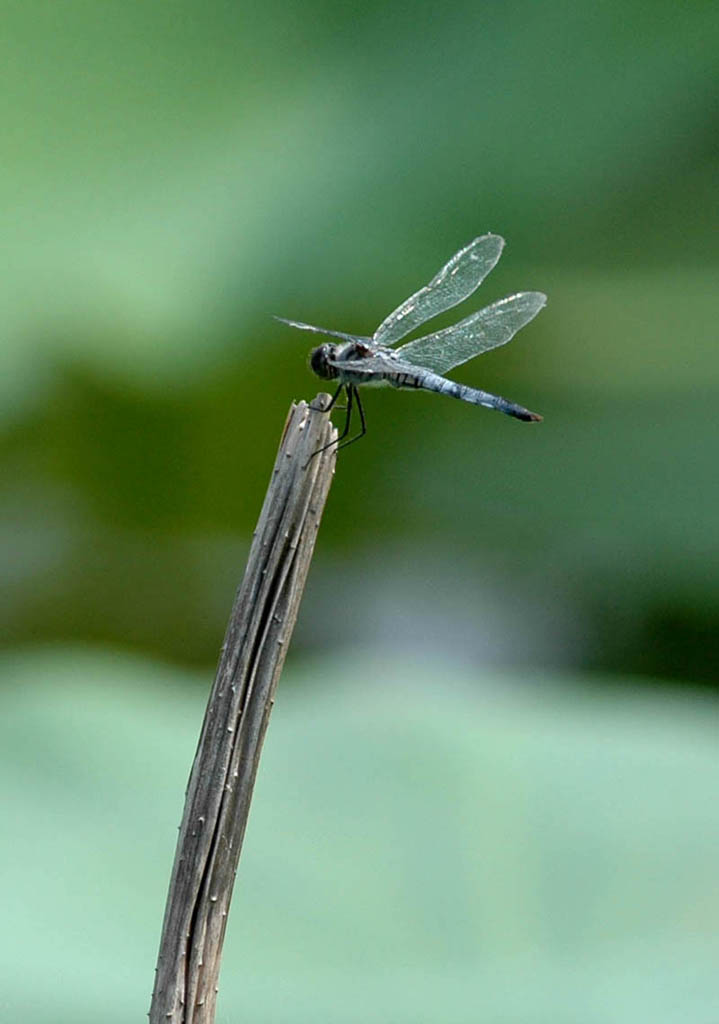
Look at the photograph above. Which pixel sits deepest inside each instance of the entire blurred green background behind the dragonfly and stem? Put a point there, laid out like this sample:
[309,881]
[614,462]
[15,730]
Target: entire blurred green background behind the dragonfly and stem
[489,788]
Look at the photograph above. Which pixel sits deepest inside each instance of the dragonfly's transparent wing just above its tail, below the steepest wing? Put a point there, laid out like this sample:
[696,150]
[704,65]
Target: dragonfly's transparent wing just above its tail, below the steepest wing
[496,325]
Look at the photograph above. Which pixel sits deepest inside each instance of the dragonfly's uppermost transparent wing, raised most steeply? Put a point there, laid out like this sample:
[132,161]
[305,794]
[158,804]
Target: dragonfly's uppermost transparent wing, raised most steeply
[453,284]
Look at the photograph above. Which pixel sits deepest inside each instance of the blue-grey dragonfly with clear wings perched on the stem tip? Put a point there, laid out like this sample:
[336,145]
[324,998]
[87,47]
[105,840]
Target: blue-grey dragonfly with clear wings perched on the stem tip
[355,361]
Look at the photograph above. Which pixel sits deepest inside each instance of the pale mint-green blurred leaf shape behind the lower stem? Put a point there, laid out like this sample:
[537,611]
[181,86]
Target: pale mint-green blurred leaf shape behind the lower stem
[427,845]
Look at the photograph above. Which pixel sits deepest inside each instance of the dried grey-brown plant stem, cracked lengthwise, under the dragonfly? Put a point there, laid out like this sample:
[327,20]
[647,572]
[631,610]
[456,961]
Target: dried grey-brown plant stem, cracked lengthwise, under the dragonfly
[224,774]
